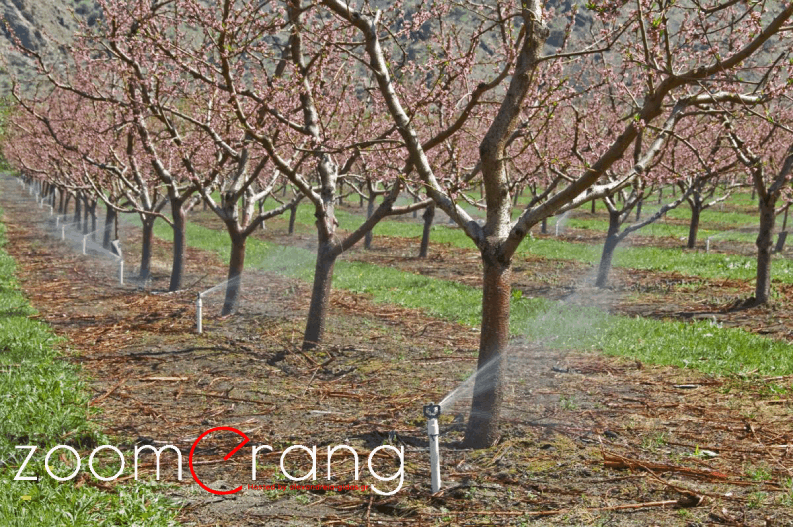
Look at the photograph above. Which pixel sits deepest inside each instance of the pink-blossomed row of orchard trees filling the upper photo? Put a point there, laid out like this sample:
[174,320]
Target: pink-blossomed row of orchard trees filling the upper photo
[162,103]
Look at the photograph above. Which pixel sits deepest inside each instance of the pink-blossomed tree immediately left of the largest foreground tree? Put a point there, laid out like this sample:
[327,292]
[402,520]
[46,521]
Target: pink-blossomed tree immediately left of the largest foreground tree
[291,92]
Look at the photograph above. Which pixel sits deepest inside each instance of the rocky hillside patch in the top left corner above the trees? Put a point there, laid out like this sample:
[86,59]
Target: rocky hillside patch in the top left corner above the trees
[40,25]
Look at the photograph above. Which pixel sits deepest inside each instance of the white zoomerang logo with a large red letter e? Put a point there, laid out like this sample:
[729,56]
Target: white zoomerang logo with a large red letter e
[255,450]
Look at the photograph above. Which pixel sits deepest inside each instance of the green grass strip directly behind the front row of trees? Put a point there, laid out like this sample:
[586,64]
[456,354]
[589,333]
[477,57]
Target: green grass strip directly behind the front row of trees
[699,345]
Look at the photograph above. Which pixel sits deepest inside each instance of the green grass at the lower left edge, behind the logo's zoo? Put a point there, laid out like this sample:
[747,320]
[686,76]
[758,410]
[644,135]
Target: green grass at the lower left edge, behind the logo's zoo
[43,402]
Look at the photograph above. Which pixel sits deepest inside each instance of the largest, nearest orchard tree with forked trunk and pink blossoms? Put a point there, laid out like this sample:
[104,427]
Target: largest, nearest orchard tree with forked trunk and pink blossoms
[653,61]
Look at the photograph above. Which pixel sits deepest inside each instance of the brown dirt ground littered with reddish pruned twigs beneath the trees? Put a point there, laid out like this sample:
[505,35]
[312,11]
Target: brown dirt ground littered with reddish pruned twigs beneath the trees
[586,439]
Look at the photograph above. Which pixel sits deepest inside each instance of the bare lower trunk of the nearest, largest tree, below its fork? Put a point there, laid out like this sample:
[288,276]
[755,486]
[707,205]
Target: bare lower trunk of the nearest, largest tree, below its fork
[483,423]
